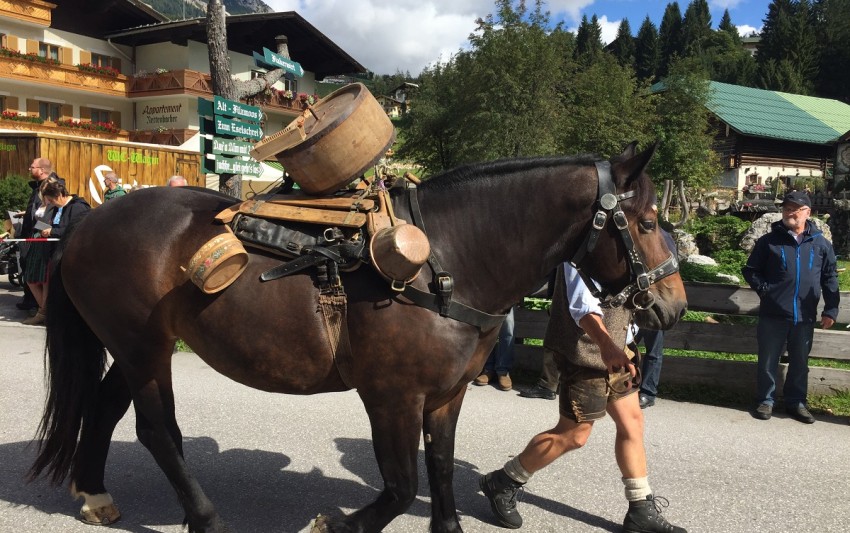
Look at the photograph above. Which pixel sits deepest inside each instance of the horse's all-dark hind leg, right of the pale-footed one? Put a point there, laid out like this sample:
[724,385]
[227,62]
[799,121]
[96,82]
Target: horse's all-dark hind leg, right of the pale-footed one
[157,430]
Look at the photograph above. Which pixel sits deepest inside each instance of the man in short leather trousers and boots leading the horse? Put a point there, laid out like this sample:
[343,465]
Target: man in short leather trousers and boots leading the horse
[596,371]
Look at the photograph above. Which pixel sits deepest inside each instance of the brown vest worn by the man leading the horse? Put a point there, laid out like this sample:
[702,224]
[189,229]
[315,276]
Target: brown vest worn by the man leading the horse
[564,336]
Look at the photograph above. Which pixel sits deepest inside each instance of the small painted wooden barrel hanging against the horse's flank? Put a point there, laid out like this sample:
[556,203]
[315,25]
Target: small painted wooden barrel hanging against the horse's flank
[218,263]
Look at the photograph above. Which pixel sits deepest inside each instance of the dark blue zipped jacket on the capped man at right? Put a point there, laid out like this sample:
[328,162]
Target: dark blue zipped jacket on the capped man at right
[789,277]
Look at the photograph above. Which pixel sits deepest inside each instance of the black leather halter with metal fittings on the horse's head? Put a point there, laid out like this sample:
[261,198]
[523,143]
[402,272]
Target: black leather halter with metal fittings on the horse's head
[608,202]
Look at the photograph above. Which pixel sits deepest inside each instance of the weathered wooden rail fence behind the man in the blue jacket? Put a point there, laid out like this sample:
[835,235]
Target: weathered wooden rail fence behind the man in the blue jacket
[703,336]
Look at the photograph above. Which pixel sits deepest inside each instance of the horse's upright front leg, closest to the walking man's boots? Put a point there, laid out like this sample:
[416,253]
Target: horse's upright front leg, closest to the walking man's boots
[439,429]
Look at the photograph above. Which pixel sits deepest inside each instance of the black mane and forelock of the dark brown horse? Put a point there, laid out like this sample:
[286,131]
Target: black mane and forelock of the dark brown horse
[642,202]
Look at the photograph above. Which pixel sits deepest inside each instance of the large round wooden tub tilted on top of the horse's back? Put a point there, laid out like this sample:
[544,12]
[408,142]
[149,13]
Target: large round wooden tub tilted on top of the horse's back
[323,150]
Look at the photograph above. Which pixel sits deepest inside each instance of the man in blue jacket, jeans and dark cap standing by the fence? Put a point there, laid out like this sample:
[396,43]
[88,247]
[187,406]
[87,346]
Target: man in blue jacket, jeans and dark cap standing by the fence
[789,267]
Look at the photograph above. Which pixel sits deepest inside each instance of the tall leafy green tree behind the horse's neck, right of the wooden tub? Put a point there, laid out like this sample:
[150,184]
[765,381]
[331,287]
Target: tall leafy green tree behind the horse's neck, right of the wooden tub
[473,108]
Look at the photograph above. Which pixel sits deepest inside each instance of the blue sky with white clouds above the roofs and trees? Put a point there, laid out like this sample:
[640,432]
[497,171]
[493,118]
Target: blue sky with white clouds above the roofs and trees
[387,36]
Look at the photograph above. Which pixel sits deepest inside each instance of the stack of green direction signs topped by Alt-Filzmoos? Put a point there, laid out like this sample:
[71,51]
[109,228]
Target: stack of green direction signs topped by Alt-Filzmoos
[224,123]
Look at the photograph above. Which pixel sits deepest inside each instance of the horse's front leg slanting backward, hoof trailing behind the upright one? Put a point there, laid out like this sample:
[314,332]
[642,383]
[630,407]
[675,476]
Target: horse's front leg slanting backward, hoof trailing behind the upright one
[396,425]
